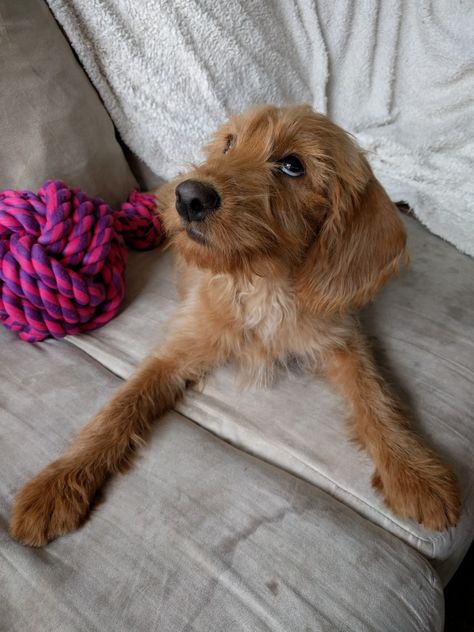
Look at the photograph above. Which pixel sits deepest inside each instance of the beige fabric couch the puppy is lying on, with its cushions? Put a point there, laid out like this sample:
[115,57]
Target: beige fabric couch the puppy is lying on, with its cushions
[248,510]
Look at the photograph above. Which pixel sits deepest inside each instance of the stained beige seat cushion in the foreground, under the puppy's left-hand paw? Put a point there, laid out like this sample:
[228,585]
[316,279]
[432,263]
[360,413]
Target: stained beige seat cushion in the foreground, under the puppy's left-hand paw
[197,536]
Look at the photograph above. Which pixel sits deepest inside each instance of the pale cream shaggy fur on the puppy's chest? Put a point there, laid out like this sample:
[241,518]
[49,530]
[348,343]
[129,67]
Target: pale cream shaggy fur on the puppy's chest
[259,321]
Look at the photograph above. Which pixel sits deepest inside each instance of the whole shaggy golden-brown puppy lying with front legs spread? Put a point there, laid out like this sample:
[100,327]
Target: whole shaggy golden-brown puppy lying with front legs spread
[280,235]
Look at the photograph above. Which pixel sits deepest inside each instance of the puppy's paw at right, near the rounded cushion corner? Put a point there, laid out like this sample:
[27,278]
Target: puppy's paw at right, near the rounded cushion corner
[429,495]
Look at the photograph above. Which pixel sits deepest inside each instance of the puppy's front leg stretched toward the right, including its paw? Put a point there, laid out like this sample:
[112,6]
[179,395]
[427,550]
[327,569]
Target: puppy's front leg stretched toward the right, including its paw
[414,481]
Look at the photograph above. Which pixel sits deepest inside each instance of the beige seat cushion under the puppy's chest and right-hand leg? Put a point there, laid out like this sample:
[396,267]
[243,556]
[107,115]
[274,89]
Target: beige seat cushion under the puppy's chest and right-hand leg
[423,324]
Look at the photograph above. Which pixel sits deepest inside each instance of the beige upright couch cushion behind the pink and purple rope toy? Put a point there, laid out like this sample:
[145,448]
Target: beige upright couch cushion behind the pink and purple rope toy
[52,123]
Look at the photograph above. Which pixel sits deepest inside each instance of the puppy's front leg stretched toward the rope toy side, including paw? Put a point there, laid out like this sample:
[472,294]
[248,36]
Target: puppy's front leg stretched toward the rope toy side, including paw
[59,498]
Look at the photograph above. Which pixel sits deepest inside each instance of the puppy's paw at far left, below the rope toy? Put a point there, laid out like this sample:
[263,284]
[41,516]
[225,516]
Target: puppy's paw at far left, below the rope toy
[51,504]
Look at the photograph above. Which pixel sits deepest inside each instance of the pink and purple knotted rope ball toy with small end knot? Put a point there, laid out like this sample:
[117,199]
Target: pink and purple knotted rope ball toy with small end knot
[62,258]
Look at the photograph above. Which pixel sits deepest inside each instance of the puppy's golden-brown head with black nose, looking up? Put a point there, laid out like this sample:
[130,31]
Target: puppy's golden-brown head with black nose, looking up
[284,188]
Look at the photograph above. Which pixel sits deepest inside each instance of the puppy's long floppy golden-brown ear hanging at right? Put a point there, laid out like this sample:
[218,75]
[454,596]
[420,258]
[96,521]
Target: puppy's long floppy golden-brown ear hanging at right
[359,247]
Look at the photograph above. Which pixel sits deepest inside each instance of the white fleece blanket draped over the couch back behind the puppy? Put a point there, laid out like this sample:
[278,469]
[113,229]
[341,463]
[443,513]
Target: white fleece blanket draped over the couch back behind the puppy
[399,75]
